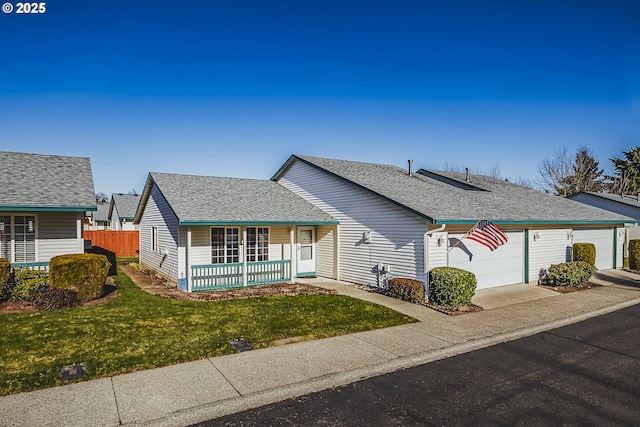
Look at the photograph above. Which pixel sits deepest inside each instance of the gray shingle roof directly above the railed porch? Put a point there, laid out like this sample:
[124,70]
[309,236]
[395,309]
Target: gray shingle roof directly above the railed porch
[218,200]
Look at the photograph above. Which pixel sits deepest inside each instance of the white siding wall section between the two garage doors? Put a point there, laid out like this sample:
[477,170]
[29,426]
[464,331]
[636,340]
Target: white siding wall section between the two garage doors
[547,247]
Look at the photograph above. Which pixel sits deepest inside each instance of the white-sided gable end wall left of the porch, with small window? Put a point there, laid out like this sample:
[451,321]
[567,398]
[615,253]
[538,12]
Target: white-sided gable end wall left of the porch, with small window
[157,213]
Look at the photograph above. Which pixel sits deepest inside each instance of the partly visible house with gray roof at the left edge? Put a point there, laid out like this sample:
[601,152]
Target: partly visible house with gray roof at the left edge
[42,203]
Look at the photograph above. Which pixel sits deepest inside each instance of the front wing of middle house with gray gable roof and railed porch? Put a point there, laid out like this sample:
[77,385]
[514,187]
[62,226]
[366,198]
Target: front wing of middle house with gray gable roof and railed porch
[207,232]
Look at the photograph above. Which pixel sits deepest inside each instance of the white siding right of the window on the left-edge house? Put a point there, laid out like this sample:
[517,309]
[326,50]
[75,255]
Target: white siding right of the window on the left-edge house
[57,235]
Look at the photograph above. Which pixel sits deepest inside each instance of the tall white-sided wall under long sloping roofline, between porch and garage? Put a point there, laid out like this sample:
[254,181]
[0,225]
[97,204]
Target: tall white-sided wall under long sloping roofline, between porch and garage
[396,235]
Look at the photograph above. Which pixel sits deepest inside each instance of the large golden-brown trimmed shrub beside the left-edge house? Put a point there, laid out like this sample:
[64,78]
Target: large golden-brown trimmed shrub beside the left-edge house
[86,273]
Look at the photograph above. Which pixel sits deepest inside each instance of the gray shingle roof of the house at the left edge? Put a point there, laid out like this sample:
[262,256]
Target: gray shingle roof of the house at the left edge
[45,182]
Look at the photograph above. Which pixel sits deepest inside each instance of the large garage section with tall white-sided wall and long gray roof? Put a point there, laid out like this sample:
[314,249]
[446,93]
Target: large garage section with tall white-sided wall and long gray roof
[396,223]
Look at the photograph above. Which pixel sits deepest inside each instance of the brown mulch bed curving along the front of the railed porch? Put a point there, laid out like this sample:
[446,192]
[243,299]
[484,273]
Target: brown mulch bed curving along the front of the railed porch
[148,283]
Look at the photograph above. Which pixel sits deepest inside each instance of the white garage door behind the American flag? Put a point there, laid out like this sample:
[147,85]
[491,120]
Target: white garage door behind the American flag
[504,266]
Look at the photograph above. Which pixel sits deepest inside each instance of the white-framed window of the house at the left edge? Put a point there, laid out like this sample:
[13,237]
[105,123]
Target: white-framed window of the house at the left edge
[18,238]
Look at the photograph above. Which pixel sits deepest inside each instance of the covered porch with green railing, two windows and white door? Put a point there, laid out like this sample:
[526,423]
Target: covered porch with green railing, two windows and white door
[247,255]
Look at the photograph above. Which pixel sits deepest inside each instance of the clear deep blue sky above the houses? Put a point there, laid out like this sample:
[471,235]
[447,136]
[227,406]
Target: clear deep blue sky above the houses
[232,88]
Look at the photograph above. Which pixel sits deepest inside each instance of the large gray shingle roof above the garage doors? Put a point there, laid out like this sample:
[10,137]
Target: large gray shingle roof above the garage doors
[444,197]
